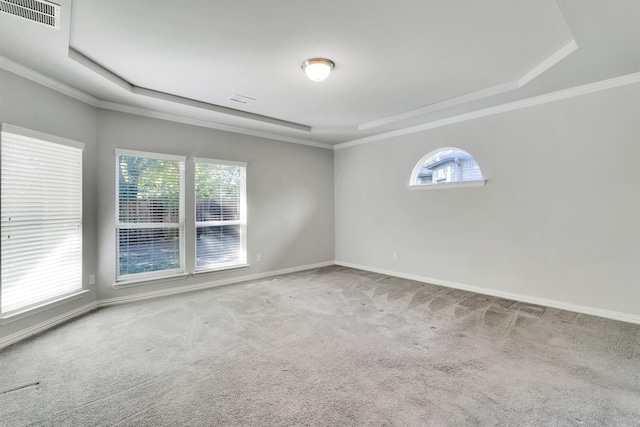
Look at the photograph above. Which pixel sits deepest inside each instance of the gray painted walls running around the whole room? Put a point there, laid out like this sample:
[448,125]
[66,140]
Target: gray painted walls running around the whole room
[545,227]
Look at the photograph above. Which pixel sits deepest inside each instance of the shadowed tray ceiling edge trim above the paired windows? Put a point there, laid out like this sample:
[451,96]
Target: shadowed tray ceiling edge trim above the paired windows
[167,97]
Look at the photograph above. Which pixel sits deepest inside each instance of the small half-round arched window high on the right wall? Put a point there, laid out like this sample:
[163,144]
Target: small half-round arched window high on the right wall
[448,166]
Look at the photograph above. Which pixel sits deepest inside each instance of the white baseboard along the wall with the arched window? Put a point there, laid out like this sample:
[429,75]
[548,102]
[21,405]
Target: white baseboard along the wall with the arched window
[593,311]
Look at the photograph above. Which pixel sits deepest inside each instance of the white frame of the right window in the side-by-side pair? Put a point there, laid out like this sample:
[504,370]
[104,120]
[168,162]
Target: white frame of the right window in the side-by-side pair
[242,222]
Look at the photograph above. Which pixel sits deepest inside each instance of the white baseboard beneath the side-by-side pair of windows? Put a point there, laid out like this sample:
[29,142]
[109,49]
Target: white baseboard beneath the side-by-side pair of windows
[207,285]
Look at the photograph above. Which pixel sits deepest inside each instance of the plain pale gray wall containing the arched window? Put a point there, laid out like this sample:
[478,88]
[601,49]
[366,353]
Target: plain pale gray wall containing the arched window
[559,218]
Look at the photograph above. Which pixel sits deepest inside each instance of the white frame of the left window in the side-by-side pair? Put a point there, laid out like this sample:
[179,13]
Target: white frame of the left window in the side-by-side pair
[180,225]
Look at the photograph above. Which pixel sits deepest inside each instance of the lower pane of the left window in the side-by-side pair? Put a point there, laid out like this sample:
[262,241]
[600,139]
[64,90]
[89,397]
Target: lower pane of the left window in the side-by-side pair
[145,250]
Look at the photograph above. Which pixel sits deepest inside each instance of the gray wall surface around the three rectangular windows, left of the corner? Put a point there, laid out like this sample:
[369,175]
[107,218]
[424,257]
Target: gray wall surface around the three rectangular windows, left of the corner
[289,187]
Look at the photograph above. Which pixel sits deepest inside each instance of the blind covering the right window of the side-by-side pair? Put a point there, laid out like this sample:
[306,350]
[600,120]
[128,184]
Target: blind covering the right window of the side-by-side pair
[221,215]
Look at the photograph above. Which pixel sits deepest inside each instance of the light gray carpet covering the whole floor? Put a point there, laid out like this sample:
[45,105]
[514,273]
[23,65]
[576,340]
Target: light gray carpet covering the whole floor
[327,347]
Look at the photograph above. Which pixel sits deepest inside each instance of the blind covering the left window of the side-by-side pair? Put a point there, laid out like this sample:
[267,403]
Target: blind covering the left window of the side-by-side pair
[150,215]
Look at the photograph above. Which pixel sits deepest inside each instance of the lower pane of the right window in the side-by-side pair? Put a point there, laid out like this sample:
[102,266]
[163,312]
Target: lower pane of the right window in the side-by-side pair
[218,246]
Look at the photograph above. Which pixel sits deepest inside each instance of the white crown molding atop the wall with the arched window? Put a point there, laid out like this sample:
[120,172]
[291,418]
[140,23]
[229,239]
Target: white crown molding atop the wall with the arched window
[511,106]
